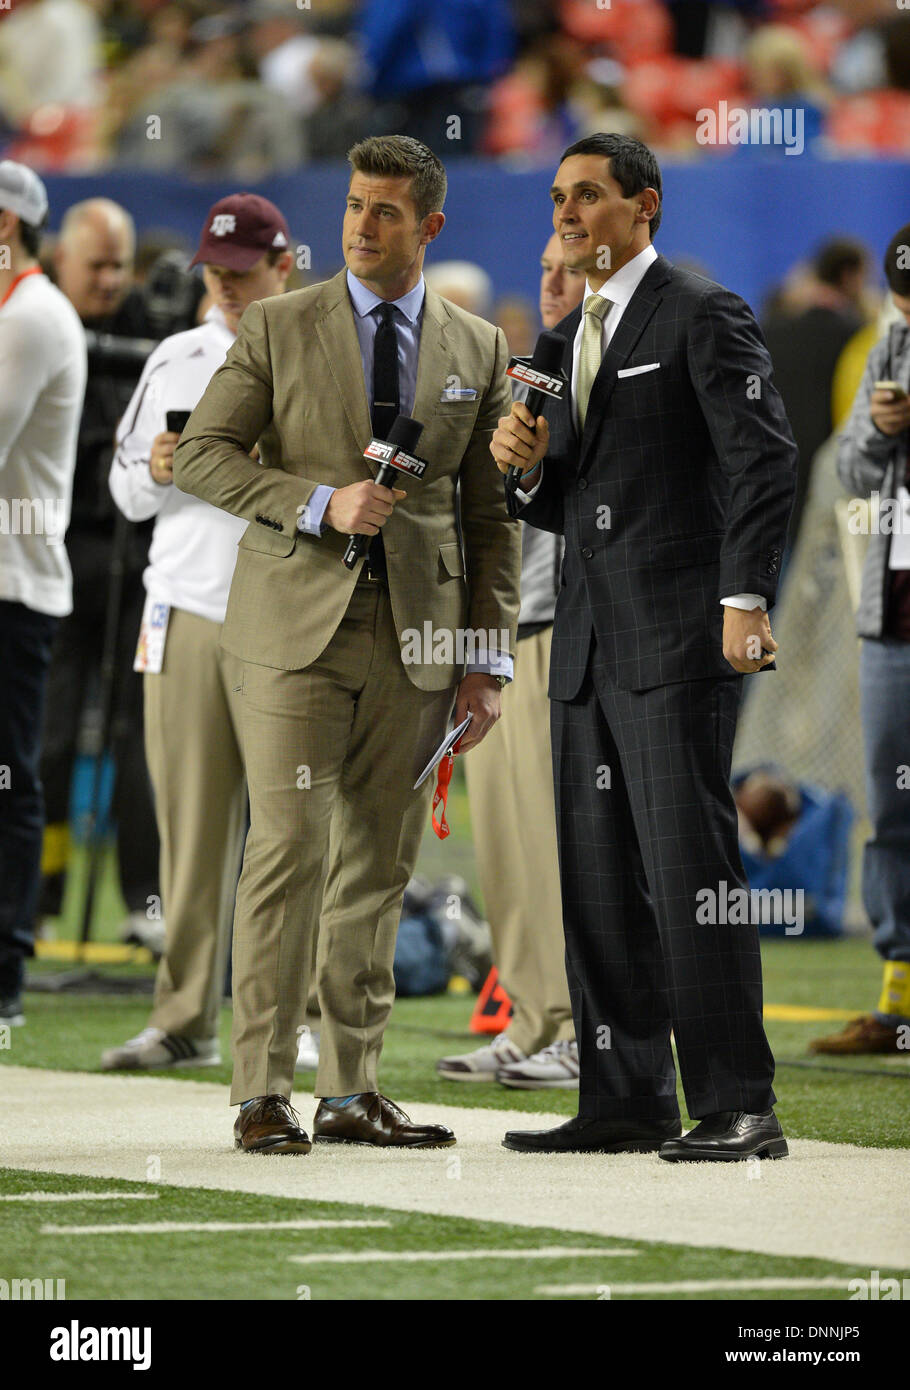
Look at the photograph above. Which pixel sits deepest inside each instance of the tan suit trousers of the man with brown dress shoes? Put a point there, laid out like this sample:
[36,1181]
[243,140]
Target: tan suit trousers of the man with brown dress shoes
[331,750]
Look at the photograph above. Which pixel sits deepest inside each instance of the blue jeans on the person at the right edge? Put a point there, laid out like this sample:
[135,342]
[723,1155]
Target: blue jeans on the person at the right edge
[886,707]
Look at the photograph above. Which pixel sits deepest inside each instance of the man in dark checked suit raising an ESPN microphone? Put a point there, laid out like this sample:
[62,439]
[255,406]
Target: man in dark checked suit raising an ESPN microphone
[670,472]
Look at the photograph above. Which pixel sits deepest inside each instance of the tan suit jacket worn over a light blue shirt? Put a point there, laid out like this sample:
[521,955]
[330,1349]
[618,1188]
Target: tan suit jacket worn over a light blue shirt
[294,383]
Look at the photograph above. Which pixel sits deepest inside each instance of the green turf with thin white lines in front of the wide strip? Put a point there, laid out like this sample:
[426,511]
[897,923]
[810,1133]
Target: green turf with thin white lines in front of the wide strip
[240,1264]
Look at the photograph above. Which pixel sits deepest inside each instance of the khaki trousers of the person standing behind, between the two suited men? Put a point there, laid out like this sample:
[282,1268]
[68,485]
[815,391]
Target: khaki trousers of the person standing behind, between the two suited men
[513,819]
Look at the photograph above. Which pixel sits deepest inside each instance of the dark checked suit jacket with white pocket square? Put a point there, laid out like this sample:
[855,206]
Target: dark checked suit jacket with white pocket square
[679,493]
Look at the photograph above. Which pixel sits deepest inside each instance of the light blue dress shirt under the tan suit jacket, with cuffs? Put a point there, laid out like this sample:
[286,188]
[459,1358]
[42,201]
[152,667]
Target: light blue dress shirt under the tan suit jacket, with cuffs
[408,323]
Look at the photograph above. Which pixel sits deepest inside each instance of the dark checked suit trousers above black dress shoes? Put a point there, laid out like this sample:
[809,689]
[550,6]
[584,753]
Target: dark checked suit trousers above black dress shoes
[647,822]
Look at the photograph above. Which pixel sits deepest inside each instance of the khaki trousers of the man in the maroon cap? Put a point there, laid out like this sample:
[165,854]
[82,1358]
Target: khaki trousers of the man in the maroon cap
[195,761]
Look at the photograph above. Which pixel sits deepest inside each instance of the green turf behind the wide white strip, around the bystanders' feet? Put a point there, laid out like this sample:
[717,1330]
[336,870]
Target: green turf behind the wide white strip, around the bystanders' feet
[844,1100]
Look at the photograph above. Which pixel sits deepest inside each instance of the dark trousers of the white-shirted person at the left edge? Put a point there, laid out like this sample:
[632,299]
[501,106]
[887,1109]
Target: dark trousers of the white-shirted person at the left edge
[26,640]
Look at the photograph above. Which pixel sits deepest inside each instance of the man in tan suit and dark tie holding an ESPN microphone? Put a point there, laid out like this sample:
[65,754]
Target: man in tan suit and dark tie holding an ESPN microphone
[341,704]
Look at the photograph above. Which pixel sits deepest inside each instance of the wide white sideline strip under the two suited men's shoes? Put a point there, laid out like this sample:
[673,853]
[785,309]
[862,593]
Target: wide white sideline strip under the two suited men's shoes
[830,1202]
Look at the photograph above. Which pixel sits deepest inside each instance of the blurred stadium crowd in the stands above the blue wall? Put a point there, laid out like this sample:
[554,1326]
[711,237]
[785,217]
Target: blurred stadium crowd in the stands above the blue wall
[266,85]
